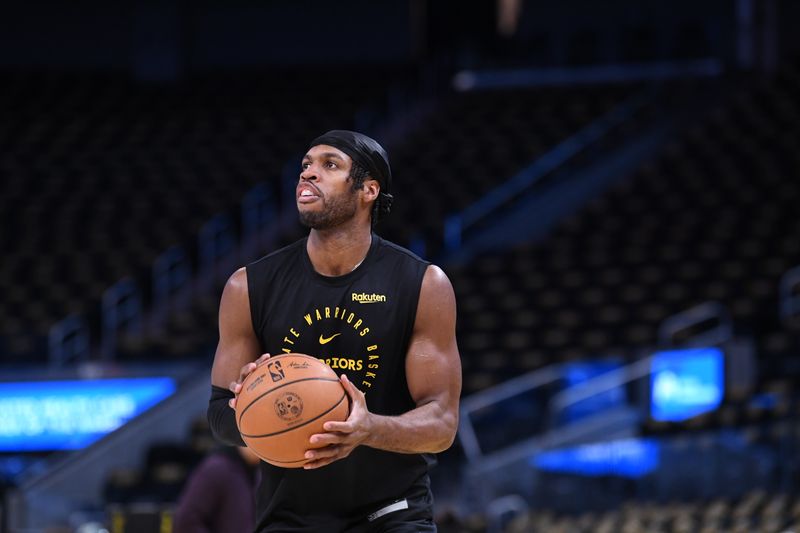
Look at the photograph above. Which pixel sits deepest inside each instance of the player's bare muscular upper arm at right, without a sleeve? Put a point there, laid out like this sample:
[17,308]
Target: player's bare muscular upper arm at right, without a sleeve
[433,365]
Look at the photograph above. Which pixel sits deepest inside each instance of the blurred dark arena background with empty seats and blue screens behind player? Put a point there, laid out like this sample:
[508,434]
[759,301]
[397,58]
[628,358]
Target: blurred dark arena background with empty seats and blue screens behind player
[613,188]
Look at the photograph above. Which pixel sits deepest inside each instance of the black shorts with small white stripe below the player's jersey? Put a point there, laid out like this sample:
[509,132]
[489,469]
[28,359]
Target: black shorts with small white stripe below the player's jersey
[408,515]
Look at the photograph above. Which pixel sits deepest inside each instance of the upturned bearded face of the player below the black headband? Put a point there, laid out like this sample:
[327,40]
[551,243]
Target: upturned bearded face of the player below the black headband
[324,194]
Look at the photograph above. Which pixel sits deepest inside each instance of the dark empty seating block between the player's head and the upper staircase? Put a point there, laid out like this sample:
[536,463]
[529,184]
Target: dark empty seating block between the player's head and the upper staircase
[477,141]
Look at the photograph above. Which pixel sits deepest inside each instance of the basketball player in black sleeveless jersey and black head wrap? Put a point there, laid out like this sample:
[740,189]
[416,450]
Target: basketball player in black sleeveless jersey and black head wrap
[381,317]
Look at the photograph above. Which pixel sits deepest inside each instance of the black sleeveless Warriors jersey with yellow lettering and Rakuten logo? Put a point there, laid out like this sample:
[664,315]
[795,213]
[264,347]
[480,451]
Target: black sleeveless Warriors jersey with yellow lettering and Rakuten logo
[360,324]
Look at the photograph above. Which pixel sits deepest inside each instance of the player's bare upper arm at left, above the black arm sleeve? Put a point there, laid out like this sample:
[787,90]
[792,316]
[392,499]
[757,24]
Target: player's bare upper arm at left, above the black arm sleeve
[238,344]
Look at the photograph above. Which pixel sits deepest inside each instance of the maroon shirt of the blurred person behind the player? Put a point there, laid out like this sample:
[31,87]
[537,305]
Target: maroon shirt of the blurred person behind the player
[219,496]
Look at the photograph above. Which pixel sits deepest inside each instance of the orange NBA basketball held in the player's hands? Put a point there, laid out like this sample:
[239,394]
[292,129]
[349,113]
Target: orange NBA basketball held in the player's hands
[283,402]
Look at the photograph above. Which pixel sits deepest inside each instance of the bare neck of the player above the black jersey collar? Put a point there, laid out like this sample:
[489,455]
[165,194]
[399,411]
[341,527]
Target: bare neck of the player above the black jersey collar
[338,252]
